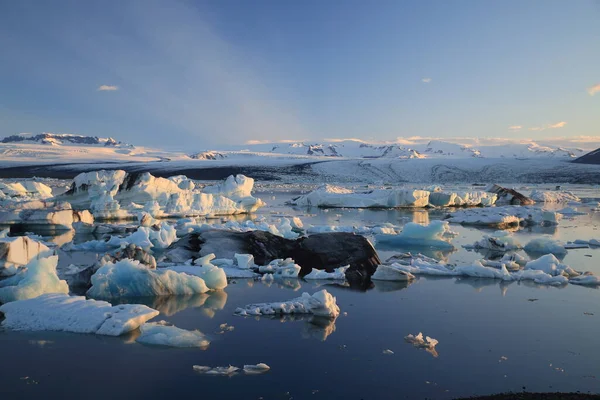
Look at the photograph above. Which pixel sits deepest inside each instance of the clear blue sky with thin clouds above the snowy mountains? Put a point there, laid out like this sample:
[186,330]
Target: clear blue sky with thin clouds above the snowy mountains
[194,74]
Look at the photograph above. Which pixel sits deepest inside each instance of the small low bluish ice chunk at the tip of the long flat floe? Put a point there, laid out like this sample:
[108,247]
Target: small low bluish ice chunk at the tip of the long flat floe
[162,334]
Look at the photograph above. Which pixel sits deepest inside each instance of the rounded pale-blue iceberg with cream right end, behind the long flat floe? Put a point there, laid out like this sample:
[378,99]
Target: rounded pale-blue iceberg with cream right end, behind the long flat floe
[128,278]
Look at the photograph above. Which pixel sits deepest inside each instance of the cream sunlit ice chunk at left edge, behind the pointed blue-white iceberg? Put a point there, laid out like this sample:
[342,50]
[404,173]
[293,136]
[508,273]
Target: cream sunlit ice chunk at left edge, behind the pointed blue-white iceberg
[16,252]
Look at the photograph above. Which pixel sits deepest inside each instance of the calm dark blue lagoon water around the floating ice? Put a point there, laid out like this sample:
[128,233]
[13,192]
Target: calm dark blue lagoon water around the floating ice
[493,336]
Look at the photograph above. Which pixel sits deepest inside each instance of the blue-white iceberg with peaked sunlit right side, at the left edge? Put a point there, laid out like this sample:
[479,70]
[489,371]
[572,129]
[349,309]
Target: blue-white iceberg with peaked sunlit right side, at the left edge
[39,277]
